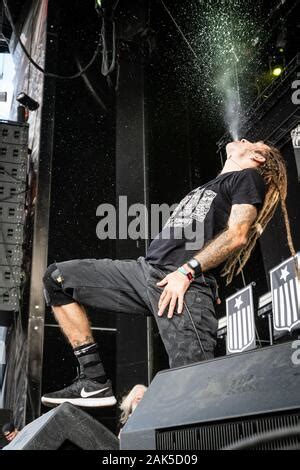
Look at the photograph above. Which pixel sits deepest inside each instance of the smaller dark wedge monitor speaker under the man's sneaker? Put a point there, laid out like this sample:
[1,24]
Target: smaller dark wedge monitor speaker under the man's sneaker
[64,427]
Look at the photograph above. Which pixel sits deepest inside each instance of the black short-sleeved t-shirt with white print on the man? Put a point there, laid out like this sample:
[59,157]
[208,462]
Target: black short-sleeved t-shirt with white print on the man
[203,214]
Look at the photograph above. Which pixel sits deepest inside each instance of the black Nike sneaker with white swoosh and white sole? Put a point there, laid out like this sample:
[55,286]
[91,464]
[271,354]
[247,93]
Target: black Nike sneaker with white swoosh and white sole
[82,392]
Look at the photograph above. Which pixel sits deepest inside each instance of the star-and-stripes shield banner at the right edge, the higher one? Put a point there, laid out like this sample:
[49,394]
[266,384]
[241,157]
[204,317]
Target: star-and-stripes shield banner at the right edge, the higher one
[285,295]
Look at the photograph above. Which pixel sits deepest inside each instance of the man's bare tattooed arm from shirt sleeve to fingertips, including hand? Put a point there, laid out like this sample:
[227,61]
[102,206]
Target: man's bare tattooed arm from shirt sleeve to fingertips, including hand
[214,253]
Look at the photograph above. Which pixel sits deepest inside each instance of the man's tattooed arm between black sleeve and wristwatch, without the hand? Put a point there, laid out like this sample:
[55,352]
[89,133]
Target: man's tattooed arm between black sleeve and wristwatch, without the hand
[218,250]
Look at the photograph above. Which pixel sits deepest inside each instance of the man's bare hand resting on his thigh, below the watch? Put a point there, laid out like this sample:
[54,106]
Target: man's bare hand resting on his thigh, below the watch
[176,284]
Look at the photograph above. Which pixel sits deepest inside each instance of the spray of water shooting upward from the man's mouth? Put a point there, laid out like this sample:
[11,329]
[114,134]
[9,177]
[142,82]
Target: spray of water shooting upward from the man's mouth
[225,36]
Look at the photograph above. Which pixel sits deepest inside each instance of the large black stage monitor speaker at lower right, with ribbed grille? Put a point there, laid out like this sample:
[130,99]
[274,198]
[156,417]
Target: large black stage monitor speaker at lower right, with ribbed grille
[213,404]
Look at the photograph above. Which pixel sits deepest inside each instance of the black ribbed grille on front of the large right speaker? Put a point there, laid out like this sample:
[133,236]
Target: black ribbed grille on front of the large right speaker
[219,435]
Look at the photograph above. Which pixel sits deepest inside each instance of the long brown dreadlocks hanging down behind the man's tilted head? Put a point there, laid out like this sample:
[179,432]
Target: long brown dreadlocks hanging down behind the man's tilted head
[273,171]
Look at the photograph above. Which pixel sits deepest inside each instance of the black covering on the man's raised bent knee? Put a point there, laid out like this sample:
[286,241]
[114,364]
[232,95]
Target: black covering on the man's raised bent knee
[53,291]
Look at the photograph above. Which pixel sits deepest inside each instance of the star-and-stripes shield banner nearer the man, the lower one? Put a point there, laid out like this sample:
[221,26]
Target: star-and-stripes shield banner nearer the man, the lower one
[240,321]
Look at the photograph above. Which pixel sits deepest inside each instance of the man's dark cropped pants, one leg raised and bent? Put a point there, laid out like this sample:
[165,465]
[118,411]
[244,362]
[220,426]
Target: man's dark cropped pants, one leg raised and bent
[129,286]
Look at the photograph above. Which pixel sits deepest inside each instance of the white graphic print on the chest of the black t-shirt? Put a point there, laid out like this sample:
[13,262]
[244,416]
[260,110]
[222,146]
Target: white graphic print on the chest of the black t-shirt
[194,206]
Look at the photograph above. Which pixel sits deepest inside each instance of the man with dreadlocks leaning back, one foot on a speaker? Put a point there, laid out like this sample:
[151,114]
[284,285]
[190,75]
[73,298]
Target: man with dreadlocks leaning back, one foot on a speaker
[216,223]
